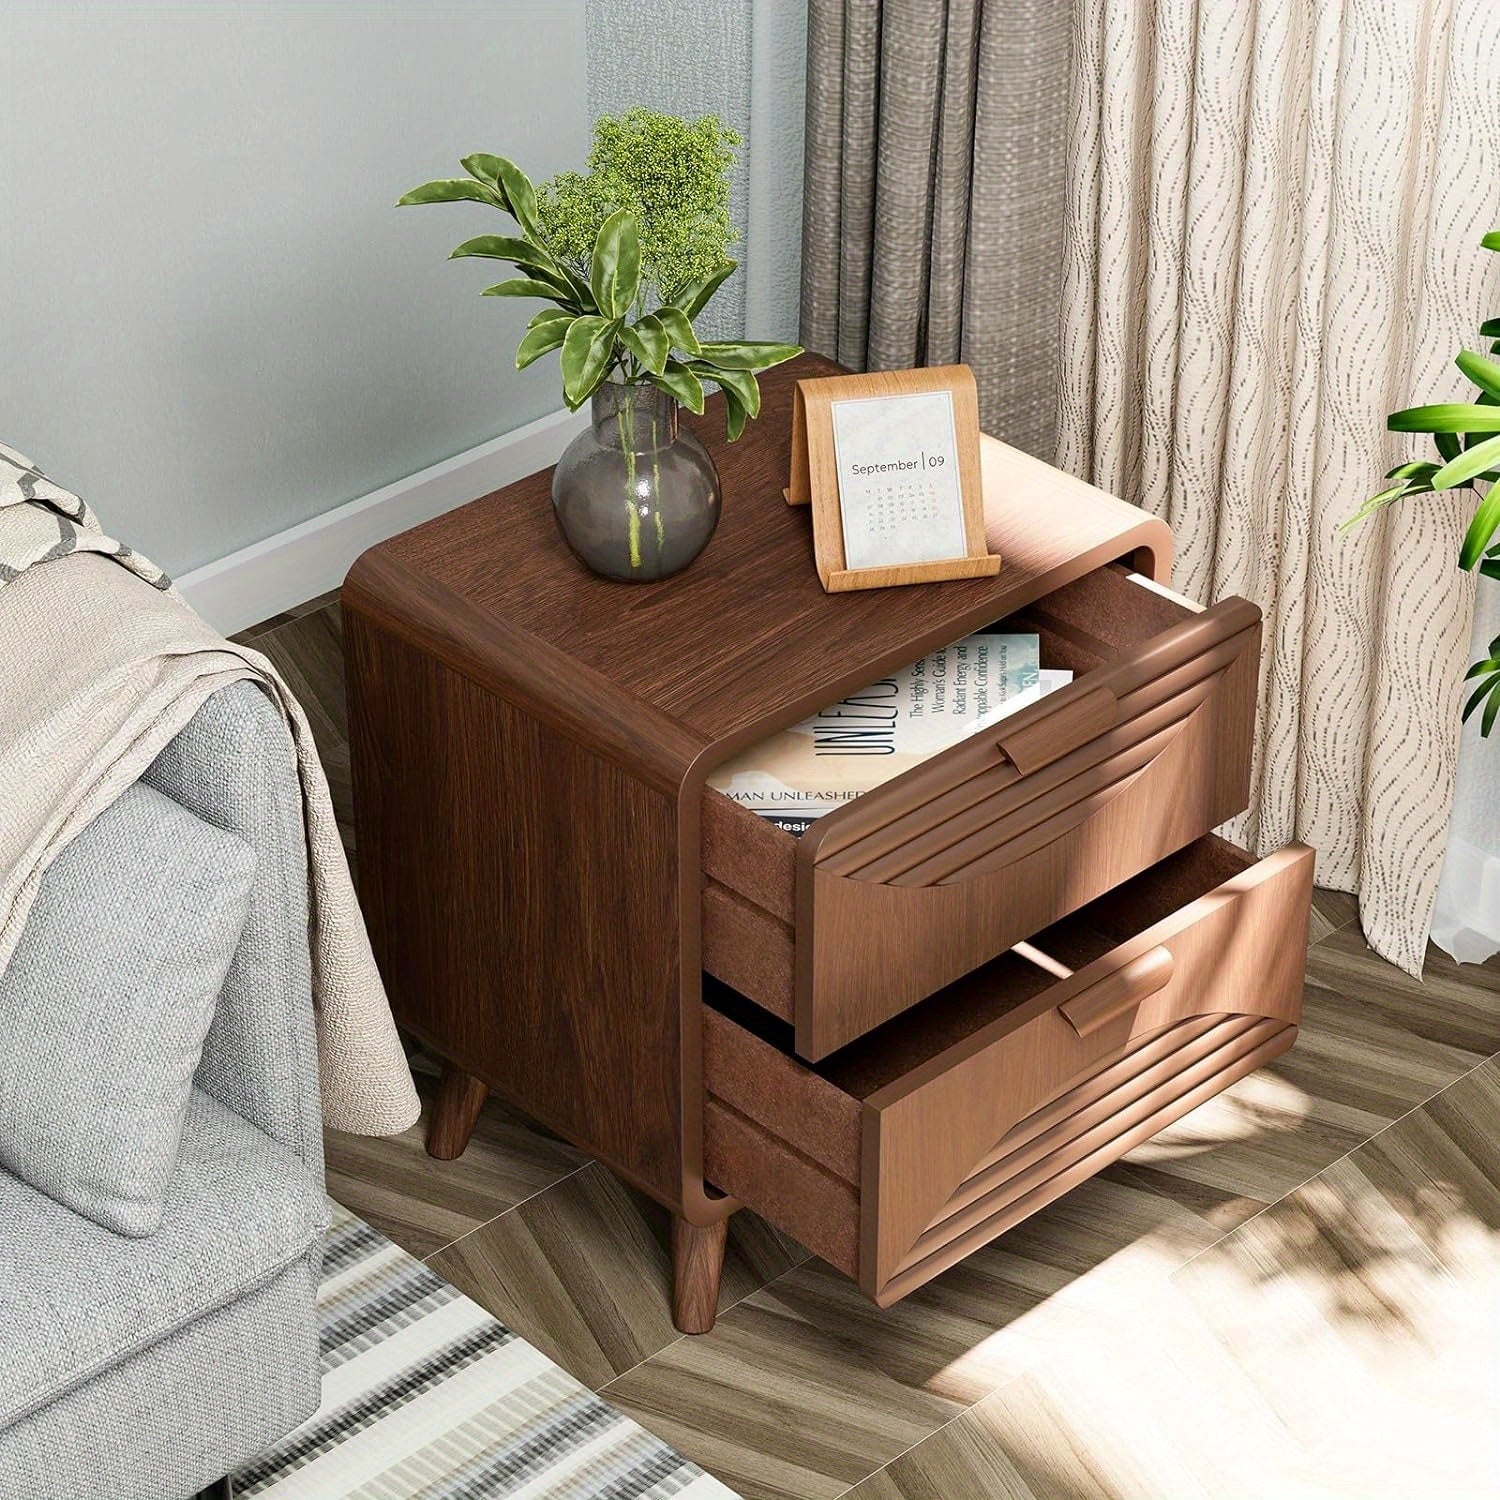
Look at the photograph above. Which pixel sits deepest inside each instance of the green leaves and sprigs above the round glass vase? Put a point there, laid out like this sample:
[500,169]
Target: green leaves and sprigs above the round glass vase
[628,254]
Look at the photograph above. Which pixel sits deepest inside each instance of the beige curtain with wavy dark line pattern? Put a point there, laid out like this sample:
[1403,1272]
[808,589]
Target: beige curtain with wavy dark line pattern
[1273,233]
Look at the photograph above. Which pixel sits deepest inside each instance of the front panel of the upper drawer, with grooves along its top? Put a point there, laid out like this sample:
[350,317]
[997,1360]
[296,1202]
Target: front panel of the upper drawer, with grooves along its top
[952,865]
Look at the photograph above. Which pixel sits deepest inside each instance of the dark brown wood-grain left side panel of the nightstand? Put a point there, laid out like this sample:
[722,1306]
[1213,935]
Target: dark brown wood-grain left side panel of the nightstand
[523,899]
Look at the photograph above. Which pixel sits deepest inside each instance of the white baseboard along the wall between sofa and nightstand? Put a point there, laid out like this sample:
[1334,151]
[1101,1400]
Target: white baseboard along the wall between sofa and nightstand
[313,557]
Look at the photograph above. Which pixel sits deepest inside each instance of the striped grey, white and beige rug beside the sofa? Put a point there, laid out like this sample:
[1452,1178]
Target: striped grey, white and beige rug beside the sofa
[425,1394]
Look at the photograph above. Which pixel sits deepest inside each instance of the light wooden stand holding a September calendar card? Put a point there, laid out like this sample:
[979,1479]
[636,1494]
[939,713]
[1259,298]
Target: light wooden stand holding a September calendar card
[893,491]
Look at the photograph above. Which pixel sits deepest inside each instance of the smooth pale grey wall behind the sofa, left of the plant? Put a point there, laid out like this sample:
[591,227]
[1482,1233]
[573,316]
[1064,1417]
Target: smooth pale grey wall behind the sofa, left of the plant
[214,322]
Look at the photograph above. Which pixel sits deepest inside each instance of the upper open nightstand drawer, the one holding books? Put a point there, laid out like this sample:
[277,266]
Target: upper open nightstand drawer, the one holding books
[937,872]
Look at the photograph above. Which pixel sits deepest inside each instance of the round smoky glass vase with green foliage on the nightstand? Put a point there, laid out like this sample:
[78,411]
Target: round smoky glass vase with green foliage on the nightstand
[626,257]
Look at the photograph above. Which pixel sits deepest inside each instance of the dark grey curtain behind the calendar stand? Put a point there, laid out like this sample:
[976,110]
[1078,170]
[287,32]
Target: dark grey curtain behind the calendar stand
[935,196]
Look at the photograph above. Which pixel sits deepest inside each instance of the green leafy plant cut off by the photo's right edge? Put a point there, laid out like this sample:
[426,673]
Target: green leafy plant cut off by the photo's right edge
[1468,440]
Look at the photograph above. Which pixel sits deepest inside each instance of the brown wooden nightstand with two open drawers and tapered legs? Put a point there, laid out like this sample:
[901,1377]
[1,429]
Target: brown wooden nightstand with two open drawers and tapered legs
[949,1003]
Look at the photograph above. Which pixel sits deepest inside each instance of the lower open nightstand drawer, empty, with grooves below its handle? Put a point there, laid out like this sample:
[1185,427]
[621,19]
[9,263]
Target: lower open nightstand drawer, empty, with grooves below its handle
[950,1124]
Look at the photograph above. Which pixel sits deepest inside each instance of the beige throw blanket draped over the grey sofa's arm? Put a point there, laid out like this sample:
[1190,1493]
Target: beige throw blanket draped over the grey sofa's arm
[101,664]
